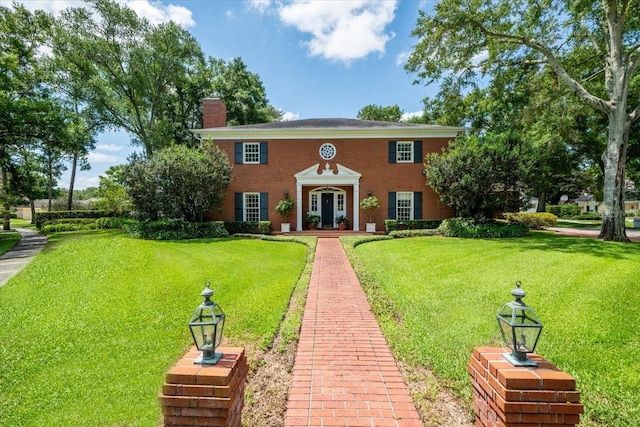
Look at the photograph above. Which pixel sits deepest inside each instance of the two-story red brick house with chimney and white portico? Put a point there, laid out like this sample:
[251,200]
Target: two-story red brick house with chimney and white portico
[327,166]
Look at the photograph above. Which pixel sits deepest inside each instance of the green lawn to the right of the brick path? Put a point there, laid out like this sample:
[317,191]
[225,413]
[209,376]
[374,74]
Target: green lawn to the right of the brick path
[442,295]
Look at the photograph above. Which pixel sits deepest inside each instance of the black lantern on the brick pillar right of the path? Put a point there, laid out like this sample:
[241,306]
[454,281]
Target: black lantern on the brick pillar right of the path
[520,327]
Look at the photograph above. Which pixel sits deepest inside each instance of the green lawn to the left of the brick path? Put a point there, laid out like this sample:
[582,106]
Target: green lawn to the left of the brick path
[89,328]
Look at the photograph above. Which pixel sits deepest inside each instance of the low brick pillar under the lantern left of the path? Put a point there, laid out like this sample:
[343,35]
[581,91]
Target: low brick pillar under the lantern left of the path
[213,395]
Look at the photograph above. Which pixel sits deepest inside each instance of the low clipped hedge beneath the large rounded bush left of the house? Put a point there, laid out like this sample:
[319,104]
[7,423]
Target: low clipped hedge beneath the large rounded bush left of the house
[175,229]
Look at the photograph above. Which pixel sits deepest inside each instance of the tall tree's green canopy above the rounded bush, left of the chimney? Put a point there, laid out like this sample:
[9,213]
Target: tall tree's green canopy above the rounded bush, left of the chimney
[137,74]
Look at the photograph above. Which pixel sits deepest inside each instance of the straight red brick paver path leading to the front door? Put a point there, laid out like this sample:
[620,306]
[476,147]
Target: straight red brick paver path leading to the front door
[344,373]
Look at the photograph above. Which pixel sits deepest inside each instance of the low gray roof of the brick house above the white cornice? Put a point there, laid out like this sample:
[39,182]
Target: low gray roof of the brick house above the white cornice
[330,123]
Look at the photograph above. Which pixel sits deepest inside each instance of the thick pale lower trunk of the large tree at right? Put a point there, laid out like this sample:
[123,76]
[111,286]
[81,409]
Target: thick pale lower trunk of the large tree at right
[614,158]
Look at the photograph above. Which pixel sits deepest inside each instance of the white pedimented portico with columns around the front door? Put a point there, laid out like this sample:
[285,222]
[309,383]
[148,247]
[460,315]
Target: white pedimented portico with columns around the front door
[325,198]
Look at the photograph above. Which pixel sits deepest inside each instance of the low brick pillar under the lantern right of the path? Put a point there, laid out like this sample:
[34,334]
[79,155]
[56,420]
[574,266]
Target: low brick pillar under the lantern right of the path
[506,395]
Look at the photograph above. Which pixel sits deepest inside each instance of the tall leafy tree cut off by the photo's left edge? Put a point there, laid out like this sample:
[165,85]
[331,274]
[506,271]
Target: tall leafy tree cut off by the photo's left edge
[30,117]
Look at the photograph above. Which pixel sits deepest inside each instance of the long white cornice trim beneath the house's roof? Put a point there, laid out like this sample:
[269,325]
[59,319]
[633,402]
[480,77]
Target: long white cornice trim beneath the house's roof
[330,133]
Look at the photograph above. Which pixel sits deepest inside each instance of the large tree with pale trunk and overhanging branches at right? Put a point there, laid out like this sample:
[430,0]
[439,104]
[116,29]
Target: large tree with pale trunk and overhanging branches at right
[464,37]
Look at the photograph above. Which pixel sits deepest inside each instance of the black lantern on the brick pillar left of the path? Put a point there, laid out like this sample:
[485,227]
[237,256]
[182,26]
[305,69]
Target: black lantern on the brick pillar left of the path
[206,327]
